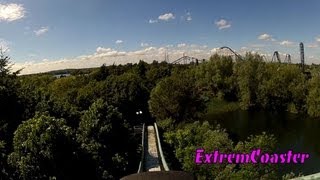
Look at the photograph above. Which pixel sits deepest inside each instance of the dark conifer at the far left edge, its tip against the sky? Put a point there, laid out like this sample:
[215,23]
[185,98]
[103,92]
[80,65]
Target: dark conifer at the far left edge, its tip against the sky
[11,109]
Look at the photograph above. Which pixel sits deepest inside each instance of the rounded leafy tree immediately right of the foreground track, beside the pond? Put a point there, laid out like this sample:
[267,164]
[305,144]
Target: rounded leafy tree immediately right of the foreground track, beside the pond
[186,140]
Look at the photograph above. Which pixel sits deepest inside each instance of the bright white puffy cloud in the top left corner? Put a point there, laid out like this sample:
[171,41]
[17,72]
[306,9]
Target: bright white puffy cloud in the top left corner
[11,12]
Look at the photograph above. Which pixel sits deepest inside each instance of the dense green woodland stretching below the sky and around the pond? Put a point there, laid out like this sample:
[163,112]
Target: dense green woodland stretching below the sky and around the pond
[70,127]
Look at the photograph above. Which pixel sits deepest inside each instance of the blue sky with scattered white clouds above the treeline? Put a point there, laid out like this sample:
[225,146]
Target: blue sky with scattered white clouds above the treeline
[45,35]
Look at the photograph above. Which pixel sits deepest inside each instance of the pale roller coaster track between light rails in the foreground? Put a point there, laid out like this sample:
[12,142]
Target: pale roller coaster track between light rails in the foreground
[152,158]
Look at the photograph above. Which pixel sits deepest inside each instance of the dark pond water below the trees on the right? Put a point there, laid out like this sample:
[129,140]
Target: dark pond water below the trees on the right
[294,132]
